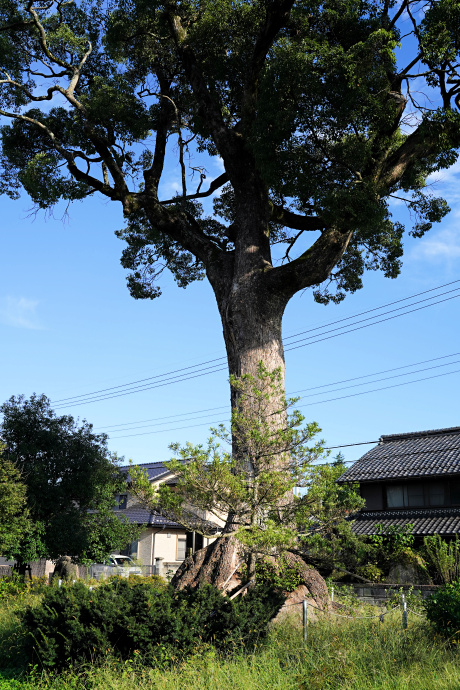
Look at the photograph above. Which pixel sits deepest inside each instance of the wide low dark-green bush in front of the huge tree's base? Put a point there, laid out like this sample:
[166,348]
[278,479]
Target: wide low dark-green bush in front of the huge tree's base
[128,619]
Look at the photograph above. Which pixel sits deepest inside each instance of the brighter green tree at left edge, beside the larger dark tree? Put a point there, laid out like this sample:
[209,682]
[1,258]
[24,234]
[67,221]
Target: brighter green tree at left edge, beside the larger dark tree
[15,525]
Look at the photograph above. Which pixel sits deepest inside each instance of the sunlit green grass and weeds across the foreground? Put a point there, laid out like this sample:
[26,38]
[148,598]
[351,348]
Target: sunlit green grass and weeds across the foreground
[339,653]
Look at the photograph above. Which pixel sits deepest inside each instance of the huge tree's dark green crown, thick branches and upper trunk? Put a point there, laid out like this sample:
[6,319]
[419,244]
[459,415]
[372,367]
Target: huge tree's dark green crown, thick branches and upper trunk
[316,123]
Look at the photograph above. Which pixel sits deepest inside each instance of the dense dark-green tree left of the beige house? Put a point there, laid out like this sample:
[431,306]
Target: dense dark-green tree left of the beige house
[71,483]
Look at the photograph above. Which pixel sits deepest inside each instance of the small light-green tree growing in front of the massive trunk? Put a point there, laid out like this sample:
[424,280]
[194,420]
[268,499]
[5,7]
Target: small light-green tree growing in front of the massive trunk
[243,479]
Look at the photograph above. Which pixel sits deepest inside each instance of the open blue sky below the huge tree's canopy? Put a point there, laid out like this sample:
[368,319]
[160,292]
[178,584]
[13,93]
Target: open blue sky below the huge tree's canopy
[68,327]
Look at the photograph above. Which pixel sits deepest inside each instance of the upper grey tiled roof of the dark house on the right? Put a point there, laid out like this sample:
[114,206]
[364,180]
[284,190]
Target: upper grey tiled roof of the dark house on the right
[418,454]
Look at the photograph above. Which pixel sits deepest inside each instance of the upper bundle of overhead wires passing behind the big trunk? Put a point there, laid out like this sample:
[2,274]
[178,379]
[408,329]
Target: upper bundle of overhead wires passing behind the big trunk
[176,376]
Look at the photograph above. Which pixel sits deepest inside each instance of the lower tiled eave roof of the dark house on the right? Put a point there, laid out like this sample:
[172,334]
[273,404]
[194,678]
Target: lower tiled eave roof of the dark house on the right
[445,521]
